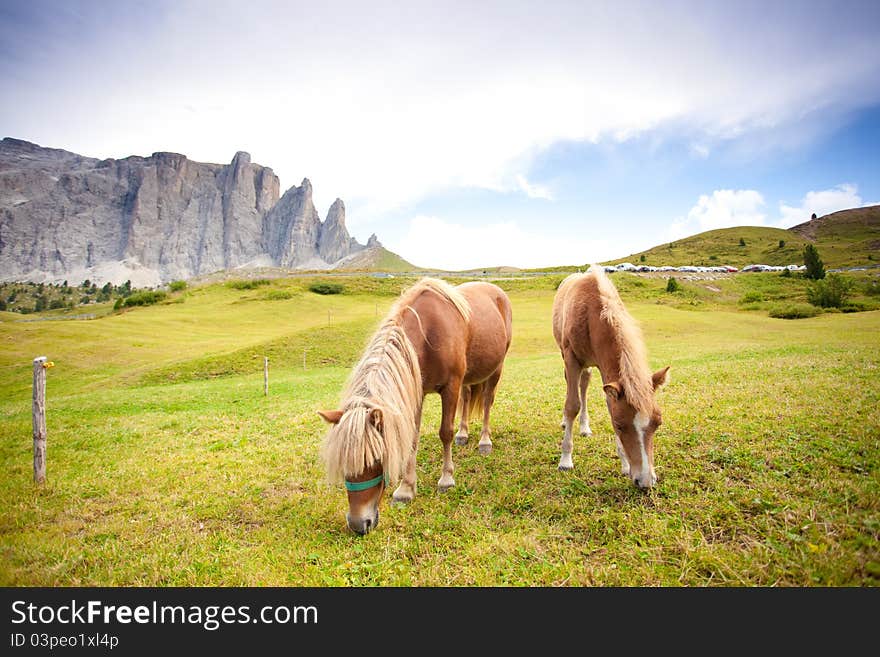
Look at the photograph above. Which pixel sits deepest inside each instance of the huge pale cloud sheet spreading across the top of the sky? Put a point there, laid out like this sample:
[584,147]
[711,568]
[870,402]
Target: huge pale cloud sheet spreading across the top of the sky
[383,107]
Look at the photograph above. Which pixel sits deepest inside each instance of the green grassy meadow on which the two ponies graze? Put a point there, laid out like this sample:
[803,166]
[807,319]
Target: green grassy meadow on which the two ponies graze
[167,465]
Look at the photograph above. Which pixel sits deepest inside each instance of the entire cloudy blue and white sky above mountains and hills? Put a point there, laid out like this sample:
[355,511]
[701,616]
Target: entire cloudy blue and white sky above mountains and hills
[476,134]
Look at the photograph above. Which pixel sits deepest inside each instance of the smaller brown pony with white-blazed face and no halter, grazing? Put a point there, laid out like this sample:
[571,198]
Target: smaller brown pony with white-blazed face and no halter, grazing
[593,328]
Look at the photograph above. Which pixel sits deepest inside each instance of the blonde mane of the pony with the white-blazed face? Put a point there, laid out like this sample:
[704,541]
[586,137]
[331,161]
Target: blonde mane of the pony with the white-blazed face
[635,377]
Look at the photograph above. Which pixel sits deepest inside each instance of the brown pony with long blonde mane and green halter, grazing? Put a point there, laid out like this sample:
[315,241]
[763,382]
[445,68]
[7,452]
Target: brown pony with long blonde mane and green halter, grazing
[436,338]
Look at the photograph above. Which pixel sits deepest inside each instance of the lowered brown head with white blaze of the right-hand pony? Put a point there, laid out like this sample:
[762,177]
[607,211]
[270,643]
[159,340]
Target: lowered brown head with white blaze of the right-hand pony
[636,417]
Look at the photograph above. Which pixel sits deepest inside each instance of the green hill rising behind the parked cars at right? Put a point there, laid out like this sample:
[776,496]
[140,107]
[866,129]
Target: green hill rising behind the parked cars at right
[844,239]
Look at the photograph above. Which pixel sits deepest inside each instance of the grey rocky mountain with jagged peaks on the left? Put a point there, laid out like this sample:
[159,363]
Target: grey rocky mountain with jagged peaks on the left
[155,219]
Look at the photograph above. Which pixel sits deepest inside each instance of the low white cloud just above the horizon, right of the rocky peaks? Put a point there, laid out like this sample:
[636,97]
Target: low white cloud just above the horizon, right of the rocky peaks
[435,243]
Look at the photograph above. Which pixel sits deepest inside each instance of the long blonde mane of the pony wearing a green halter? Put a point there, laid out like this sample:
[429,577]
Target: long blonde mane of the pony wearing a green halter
[386,378]
